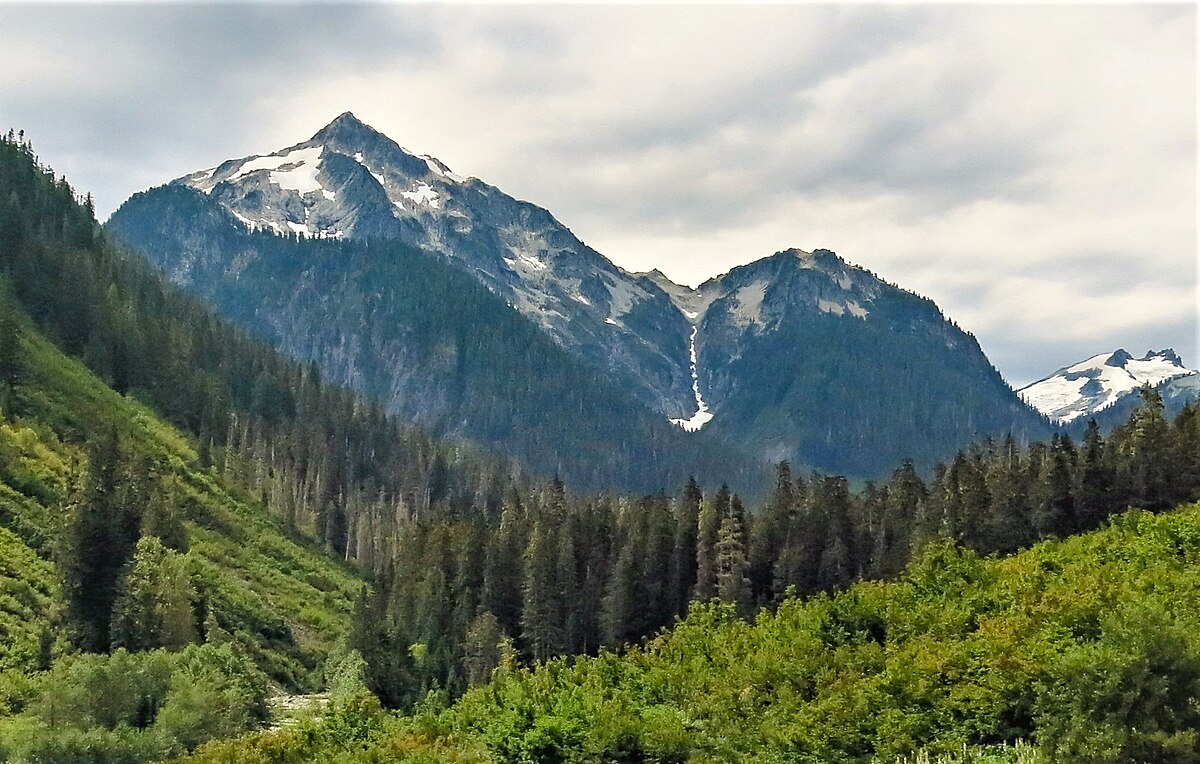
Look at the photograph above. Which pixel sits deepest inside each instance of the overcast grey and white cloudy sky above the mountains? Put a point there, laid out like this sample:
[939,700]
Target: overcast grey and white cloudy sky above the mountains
[1030,169]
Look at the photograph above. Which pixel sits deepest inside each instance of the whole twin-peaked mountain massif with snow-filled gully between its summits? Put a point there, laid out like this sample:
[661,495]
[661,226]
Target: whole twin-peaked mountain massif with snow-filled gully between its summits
[616,378]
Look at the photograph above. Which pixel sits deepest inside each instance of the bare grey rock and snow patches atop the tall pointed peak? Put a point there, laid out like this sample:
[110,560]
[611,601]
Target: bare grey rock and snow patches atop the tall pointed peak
[352,182]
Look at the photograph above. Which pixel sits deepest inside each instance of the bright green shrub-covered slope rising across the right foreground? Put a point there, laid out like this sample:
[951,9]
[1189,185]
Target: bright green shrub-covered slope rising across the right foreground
[1090,648]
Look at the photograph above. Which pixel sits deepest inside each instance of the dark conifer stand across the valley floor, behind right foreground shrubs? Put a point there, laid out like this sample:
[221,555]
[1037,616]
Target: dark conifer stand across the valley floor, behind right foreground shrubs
[559,575]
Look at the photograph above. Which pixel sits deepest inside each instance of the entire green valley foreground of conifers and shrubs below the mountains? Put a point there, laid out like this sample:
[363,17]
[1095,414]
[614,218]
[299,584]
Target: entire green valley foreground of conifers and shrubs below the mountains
[194,525]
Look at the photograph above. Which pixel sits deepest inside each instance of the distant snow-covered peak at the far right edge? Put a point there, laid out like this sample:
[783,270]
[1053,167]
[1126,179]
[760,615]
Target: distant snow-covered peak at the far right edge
[1102,381]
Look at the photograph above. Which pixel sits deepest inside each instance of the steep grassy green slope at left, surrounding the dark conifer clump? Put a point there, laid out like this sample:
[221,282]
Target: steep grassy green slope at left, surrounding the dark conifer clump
[279,597]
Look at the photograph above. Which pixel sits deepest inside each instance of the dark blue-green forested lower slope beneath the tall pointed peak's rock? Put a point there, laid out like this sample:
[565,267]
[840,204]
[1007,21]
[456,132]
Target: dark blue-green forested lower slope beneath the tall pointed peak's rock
[424,339]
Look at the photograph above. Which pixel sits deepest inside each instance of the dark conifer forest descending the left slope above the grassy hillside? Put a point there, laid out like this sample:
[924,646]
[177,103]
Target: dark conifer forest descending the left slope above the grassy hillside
[334,466]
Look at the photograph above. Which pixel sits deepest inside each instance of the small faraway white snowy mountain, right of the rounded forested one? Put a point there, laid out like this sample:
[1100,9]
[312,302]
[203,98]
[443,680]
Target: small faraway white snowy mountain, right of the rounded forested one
[1112,381]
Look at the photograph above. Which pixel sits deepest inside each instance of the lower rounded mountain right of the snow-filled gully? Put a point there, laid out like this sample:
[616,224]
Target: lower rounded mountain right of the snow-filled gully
[808,358]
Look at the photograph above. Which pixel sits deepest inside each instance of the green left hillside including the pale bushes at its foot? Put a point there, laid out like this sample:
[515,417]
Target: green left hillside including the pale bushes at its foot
[259,603]
